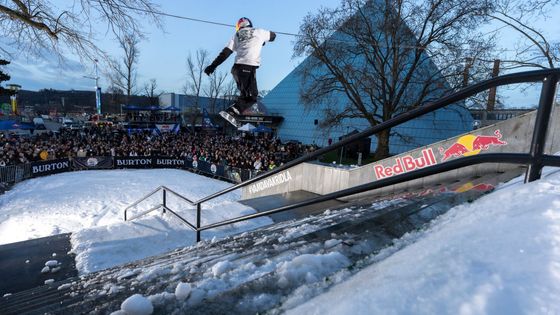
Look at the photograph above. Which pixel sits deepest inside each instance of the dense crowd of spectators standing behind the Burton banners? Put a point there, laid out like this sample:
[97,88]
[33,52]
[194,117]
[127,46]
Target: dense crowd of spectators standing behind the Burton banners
[246,152]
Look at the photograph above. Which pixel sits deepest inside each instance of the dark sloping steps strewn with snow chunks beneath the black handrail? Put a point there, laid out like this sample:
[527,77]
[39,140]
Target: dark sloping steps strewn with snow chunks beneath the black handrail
[269,269]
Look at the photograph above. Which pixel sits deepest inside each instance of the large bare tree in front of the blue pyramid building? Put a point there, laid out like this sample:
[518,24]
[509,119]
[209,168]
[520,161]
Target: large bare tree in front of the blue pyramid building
[380,56]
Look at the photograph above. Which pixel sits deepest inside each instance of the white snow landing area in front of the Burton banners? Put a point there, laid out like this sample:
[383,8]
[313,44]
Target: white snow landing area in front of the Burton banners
[90,204]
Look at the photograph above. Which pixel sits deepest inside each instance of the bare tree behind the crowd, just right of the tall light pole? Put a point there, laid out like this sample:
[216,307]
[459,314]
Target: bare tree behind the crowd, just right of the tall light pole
[124,73]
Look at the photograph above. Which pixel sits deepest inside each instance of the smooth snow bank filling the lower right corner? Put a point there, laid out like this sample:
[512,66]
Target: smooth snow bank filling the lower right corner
[498,255]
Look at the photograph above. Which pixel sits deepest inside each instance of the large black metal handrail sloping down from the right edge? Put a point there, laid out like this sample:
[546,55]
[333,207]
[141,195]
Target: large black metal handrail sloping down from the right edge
[535,158]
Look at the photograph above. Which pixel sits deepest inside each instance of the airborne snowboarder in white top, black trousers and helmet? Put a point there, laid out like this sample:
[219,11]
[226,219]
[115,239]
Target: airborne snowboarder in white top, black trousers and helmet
[247,43]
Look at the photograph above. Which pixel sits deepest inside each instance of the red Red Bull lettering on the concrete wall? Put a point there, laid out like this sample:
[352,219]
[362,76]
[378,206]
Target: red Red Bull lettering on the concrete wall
[406,164]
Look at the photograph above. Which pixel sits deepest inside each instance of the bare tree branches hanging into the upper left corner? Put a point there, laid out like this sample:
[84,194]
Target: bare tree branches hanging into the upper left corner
[32,27]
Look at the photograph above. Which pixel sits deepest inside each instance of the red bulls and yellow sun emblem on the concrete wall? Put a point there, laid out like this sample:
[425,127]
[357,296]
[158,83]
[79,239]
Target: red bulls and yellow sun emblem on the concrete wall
[471,145]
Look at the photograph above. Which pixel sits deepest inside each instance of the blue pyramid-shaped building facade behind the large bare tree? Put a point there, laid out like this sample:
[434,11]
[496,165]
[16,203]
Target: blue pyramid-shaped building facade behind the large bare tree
[305,124]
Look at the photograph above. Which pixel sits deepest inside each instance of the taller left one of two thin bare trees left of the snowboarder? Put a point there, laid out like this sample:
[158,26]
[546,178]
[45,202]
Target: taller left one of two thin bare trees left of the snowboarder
[194,84]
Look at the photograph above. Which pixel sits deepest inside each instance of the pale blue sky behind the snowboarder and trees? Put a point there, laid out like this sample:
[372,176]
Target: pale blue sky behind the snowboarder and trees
[163,53]
